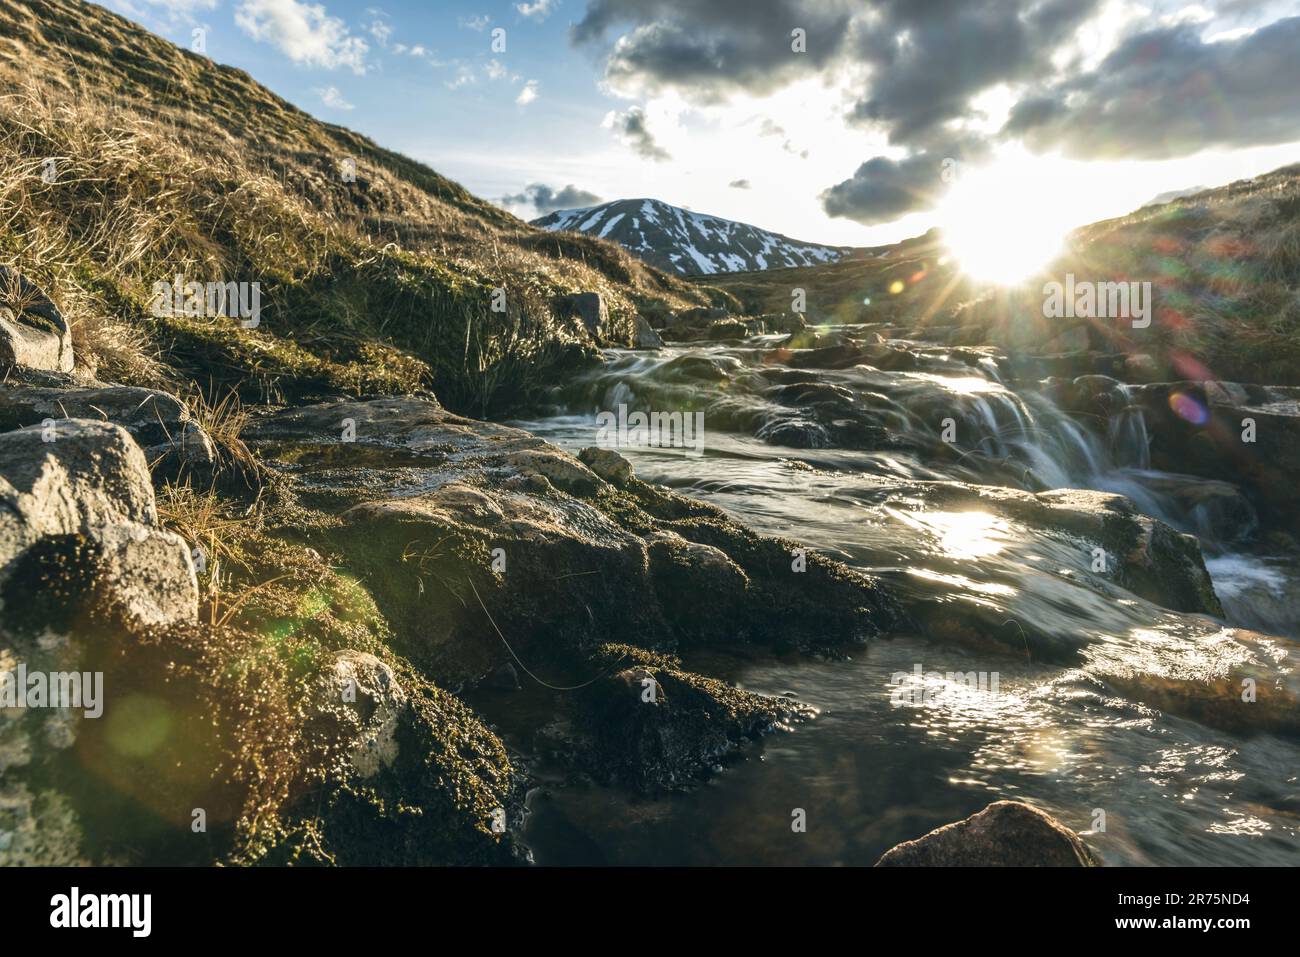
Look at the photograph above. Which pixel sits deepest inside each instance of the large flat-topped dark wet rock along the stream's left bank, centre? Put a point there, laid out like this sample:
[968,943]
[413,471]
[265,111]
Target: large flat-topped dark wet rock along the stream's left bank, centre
[463,557]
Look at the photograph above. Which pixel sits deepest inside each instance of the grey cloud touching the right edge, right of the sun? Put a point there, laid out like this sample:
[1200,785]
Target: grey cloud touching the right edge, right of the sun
[1167,93]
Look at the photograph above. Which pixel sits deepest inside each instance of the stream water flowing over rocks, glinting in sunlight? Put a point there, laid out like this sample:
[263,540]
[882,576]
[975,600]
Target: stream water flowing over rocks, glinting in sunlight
[853,462]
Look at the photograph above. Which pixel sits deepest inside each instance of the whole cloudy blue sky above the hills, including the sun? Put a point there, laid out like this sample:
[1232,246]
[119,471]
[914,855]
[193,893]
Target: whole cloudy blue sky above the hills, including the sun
[846,123]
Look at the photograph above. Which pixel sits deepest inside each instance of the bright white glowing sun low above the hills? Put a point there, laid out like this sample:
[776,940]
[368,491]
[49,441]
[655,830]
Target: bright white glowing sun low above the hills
[1003,223]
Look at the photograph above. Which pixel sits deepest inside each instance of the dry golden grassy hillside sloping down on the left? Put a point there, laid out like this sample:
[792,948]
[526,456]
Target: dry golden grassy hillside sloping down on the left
[166,163]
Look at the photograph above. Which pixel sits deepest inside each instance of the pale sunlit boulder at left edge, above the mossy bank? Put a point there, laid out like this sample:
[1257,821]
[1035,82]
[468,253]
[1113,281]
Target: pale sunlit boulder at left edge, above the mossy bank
[79,523]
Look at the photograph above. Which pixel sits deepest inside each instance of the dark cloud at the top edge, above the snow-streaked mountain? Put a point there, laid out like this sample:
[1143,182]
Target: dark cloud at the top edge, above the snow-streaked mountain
[714,49]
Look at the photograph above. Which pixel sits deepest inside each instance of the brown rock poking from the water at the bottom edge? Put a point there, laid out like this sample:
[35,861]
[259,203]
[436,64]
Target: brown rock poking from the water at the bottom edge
[1007,834]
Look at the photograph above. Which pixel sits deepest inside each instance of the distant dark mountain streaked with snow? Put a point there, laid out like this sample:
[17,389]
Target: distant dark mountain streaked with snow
[687,243]
